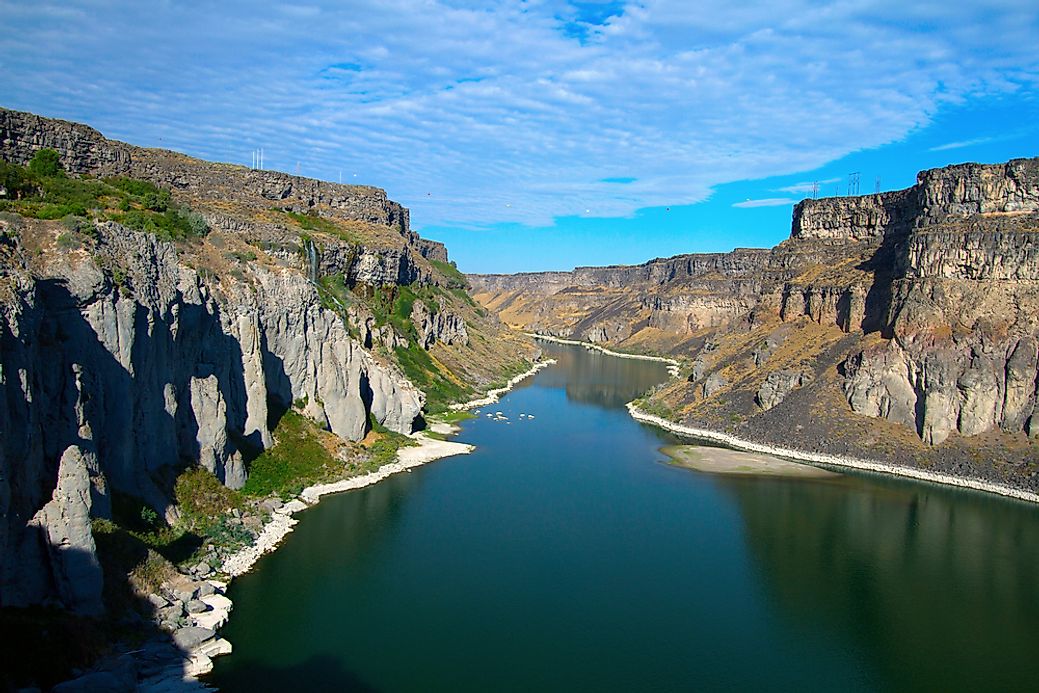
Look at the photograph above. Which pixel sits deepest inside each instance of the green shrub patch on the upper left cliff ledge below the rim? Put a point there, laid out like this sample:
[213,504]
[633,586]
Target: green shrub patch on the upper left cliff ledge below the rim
[43,191]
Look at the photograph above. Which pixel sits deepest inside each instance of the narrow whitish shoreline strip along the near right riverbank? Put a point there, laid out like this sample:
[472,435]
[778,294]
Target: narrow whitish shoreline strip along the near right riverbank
[832,461]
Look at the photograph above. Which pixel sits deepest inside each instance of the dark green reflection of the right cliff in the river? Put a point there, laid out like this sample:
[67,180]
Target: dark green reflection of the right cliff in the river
[940,591]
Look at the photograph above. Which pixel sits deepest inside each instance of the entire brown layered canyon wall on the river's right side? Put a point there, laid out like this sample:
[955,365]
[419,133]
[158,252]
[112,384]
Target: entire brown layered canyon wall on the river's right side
[902,327]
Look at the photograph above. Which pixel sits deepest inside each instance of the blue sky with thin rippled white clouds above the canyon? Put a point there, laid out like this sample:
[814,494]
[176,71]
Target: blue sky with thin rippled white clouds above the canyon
[548,135]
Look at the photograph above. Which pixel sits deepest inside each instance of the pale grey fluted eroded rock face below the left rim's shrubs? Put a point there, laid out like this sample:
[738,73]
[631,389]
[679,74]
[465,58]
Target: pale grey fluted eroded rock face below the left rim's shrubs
[119,385]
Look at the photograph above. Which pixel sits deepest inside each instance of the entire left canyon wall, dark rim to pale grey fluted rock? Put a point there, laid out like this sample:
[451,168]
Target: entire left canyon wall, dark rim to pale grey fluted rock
[125,359]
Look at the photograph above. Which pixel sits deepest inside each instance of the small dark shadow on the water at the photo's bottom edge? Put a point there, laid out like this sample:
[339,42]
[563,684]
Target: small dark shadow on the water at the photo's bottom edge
[322,673]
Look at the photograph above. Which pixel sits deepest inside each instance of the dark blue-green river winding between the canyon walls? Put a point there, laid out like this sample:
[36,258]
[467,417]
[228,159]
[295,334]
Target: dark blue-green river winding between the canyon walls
[565,554]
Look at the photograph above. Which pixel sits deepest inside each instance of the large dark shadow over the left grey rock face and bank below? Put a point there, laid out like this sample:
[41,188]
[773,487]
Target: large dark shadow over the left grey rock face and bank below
[83,395]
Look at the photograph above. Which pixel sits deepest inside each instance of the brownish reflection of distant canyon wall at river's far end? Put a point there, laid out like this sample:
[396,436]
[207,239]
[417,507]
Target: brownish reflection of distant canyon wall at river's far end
[594,378]
